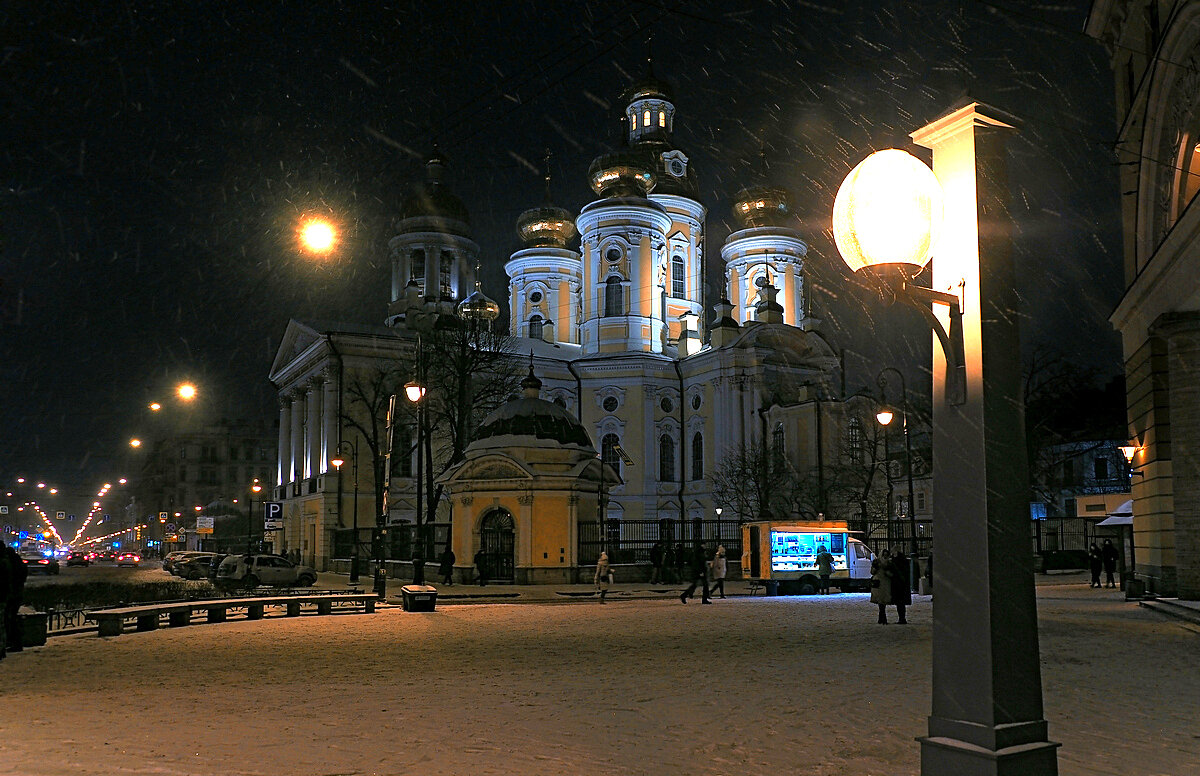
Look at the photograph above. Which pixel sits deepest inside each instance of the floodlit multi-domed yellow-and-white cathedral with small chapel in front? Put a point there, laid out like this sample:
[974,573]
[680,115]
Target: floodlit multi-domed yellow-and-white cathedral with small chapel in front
[637,392]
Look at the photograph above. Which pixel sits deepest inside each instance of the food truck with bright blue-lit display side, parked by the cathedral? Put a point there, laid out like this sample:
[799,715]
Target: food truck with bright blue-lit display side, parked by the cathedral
[784,556]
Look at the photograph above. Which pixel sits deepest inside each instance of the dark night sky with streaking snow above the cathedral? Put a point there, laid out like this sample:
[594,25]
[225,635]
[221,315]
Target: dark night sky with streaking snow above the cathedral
[157,159]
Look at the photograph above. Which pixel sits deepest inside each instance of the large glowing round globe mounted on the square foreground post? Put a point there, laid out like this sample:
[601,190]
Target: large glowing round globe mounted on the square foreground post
[889,214]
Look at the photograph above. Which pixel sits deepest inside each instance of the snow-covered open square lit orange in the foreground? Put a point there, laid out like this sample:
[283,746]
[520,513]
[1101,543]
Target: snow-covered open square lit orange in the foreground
[747,687]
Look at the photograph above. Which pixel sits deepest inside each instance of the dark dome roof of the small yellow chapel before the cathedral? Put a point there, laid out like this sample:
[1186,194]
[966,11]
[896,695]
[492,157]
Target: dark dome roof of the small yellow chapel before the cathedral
[535,418]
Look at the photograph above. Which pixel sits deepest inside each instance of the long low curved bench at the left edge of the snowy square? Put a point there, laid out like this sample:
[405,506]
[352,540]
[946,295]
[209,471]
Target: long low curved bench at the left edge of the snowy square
[179,613]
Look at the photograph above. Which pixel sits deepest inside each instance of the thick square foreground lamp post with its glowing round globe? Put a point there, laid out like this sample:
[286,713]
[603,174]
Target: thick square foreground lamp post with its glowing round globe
[987,715]
